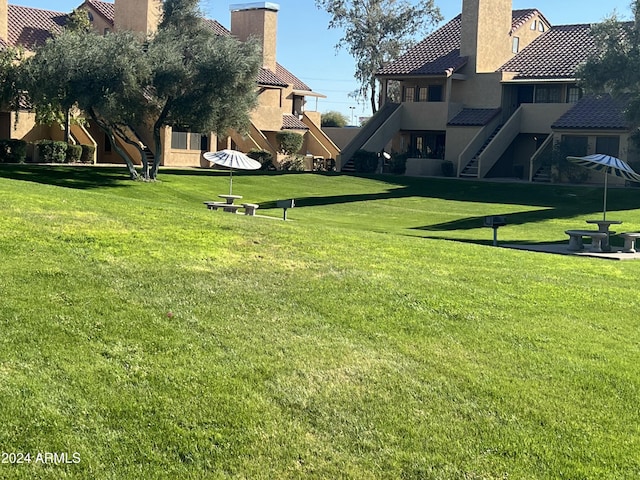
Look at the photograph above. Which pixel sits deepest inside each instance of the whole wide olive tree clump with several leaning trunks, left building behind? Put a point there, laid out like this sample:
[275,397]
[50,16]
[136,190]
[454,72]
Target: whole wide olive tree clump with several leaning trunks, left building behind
[183,76]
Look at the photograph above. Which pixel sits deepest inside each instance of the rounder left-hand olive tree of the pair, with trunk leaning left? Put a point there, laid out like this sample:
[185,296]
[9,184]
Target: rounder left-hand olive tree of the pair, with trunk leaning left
[103,76]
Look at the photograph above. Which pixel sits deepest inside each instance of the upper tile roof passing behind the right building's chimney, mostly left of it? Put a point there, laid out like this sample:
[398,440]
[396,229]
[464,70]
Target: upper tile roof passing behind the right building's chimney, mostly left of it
[439,53]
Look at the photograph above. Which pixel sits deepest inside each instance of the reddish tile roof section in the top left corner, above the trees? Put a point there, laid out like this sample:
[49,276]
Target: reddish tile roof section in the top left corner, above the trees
[30,27]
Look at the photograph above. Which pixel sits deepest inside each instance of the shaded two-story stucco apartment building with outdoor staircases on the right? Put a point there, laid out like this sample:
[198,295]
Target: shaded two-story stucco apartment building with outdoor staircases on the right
[491,91]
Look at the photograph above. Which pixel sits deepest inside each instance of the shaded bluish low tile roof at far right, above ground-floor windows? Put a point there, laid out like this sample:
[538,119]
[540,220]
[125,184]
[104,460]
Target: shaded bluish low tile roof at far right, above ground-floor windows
[595,113]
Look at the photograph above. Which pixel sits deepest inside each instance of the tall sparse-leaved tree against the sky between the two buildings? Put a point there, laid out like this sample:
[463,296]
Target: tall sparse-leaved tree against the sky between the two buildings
[378,31]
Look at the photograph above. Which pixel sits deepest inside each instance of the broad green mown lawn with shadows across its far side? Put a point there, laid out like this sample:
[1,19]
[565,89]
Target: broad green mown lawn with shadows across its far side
[376,334]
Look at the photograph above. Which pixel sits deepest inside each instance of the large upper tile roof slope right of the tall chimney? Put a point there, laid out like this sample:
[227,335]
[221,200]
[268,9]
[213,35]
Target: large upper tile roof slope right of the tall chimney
[556,54]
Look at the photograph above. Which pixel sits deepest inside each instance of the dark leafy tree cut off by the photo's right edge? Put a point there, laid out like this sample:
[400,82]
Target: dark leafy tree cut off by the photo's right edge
[615,66]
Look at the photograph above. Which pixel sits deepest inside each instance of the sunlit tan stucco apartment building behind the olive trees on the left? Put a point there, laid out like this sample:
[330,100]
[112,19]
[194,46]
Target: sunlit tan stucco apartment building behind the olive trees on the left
[282,97]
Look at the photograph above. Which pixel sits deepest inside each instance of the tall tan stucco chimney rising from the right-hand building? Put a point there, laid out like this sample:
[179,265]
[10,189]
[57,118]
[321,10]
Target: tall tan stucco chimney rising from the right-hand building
[486,33]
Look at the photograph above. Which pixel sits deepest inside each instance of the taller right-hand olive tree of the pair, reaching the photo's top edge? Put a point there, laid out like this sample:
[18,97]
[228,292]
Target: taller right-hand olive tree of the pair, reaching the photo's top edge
[200,81]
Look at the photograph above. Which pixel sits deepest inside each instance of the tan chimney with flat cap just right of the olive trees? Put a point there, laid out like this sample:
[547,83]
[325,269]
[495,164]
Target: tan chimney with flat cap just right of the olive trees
[258,20]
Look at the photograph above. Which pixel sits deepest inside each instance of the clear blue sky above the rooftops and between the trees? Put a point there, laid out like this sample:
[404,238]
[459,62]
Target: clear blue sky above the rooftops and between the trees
[307,48]
